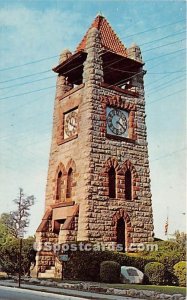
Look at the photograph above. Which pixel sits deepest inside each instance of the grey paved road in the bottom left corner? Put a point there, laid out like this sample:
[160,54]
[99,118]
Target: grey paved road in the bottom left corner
[9,293]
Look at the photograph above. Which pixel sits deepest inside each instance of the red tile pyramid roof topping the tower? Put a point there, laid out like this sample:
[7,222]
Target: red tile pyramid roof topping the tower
[109,39]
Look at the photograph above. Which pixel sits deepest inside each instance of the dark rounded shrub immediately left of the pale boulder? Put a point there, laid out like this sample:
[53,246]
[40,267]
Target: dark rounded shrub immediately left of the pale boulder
[110,272]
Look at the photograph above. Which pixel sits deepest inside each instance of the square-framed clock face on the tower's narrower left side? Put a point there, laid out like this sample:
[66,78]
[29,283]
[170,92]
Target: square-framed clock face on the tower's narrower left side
[70,124]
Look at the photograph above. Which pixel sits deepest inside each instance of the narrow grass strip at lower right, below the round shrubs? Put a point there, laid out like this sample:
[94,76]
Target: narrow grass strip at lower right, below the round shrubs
[156,288]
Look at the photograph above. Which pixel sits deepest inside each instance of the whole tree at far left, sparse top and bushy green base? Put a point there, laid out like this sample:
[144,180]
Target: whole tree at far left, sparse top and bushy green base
[16,253]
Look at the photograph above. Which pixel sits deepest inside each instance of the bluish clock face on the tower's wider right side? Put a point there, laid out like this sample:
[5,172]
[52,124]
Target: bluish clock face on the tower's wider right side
[117,122]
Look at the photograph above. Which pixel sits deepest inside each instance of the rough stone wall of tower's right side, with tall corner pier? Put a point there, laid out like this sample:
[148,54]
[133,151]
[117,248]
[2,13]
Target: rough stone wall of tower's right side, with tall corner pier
[102,209]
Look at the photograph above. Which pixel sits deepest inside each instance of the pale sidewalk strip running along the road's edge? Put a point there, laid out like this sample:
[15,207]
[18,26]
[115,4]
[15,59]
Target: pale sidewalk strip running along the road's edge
[68,292]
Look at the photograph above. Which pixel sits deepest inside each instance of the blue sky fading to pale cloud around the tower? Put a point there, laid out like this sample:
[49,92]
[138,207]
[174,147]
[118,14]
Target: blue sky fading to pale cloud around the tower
[32,36]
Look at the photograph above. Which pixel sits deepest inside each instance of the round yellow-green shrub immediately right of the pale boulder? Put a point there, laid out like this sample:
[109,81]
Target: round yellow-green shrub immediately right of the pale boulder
[155,271]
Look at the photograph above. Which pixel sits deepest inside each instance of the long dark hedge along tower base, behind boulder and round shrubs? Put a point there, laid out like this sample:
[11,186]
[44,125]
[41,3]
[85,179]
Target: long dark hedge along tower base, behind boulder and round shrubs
[85,265]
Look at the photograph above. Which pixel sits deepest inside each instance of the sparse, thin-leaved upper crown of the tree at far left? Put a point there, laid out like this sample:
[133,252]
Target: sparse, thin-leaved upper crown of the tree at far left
[17,221]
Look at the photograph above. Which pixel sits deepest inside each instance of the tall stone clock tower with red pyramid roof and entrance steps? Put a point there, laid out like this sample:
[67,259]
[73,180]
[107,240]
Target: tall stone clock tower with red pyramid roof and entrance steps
[98,184]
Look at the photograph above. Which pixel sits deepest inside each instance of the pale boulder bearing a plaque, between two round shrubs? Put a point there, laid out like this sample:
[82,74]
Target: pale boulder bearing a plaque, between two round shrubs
[131,275]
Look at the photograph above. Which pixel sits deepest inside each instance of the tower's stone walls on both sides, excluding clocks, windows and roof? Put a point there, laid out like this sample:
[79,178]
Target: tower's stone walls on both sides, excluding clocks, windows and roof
[92,152]
